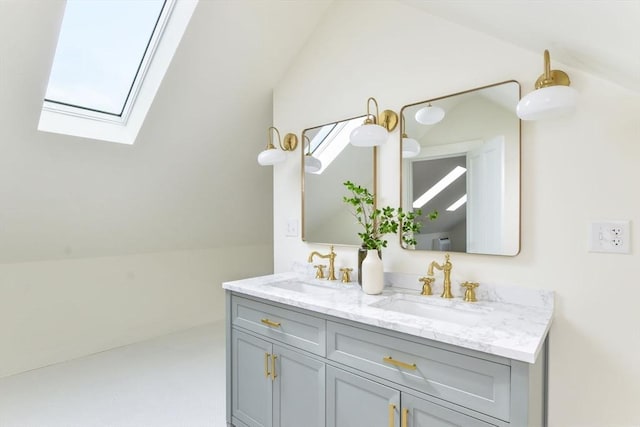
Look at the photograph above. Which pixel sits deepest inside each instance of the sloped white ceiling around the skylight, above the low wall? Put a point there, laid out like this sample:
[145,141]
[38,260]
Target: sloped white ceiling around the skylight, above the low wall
[191,180]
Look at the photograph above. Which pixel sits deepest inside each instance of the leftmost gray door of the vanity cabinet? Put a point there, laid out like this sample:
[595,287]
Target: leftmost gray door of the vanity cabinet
[252,387]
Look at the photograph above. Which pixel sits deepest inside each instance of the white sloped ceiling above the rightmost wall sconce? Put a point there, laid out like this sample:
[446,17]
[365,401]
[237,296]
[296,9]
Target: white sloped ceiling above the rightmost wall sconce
[596,36]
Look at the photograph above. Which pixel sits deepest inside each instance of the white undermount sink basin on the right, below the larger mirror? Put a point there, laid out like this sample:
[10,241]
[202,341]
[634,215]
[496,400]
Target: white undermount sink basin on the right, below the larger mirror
[435,309]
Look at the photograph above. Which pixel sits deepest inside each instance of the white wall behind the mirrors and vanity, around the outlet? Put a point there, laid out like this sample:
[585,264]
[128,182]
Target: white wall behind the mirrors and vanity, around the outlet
[574,170]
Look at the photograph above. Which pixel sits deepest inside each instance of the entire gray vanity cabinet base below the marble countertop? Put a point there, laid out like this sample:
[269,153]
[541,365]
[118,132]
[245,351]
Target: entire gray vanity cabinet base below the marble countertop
[291,367]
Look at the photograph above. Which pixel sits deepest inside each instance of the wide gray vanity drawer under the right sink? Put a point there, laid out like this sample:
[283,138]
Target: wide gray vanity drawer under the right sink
[470,382]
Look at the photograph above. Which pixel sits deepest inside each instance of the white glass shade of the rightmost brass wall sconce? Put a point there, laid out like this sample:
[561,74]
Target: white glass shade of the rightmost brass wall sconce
[547,102]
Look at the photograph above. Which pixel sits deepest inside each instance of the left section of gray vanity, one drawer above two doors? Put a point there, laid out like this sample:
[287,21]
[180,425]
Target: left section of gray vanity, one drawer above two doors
[274,381]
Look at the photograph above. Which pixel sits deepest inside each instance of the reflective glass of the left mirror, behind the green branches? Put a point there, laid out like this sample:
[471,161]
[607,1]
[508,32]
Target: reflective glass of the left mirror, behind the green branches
[325,217]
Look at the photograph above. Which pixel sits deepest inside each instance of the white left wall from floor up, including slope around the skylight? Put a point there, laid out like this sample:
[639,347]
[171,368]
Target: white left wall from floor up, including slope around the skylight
[75,214]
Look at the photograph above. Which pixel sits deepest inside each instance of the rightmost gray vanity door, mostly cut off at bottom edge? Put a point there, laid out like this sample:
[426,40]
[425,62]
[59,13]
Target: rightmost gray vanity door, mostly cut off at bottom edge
[418,412]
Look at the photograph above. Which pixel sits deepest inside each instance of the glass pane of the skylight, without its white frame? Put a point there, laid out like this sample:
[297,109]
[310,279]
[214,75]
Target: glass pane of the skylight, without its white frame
[100,51]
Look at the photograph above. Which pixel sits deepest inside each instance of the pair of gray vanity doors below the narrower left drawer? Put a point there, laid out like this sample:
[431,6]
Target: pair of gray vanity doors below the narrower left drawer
[275,386]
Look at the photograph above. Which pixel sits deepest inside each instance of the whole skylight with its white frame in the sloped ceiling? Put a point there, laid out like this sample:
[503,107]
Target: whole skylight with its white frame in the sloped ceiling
[106,50]
